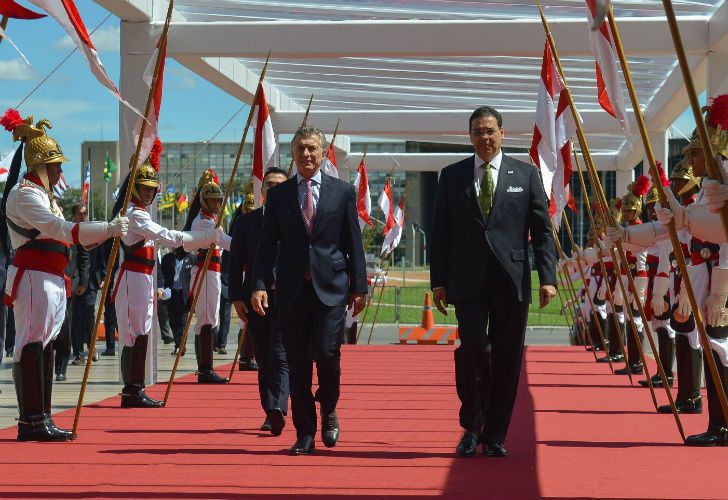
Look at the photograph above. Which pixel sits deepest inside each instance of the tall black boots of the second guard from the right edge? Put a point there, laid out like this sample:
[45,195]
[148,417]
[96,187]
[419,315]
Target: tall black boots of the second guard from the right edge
[689,365]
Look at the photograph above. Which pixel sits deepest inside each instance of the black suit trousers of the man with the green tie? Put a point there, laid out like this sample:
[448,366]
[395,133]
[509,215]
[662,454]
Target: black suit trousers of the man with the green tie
[492,329]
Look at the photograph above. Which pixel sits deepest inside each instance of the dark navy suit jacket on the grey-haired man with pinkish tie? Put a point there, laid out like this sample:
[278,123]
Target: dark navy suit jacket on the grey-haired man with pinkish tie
[334,252]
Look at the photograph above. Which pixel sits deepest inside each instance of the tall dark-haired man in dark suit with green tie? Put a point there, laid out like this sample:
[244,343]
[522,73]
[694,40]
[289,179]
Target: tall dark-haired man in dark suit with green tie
[487,209]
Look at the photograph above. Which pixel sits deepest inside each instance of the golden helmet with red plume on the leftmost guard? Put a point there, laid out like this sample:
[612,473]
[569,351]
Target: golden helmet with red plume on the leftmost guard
[40,148]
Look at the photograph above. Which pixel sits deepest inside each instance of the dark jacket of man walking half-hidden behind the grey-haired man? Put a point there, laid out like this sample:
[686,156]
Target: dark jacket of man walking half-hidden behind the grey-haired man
[243,246]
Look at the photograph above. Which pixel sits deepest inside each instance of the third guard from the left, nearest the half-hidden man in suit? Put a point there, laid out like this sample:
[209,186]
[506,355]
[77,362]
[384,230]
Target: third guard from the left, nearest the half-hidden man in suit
[202,217]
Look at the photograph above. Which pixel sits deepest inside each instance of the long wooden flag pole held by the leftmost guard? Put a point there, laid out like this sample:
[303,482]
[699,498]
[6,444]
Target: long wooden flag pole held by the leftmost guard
[115,246]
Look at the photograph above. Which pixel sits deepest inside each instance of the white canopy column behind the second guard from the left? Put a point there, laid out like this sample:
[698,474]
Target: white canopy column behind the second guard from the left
[135,91]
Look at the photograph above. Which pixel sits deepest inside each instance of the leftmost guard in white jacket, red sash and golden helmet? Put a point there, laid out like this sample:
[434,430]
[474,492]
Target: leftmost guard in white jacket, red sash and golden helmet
[36,286]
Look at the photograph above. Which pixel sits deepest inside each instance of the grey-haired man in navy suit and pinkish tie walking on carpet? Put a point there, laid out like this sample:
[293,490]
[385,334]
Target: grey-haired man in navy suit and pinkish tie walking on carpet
[311,221]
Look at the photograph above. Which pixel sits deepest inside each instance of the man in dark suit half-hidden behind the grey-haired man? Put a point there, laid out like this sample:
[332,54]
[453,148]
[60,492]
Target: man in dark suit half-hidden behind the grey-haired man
[264,330]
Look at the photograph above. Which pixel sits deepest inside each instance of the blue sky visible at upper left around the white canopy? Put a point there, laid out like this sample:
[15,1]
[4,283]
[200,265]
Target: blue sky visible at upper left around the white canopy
[80,108]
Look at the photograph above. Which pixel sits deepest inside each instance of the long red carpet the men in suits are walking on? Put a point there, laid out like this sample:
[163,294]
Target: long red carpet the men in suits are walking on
[578,431]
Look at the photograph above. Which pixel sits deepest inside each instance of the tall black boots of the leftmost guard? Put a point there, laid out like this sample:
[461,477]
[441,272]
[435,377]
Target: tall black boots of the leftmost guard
[29,377]
